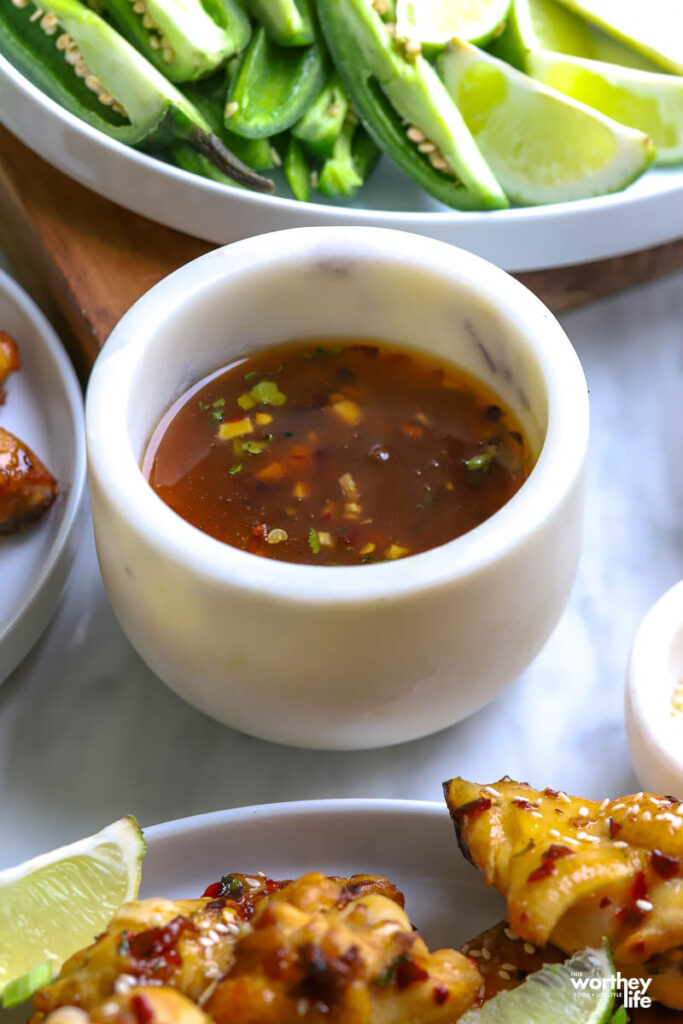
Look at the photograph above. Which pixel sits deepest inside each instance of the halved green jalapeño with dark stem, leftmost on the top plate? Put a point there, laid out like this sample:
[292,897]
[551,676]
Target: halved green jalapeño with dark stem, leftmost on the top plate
[82,63]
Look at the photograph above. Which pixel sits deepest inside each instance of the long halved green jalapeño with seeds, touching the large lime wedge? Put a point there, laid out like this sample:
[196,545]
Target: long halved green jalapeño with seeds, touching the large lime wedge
[406,108]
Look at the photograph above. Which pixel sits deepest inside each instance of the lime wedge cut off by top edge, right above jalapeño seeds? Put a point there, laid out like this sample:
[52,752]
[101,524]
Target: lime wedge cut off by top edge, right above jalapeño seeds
[435,23]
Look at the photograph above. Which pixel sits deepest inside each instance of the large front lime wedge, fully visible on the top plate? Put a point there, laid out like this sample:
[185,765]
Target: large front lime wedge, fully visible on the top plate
[541,146]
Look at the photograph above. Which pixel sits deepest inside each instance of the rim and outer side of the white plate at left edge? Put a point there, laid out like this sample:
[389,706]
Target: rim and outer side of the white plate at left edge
[21,632]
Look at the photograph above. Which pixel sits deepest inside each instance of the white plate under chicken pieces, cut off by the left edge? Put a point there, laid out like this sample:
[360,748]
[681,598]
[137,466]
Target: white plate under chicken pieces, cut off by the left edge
[45,408]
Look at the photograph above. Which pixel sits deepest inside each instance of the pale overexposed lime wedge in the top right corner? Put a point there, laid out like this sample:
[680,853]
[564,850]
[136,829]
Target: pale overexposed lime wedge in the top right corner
[654,29]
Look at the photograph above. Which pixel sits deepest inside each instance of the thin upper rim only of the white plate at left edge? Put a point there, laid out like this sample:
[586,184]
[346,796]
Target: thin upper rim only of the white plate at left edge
[70,510]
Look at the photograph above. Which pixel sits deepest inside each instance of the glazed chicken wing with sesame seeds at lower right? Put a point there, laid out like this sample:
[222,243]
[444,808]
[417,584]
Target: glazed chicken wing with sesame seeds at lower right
[574,871]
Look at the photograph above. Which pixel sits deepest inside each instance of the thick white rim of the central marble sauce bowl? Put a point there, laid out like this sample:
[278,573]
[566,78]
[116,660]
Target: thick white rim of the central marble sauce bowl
[553,478]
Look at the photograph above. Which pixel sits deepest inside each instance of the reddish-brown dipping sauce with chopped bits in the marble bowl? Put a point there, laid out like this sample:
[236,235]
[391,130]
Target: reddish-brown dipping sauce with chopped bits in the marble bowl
[337,453]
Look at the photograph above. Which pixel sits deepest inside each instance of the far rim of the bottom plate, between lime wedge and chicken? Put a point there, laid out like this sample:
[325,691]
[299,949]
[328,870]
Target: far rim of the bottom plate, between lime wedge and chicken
[287,808]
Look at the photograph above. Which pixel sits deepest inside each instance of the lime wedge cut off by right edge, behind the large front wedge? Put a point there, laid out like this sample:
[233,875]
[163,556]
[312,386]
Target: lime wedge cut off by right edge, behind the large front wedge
[653,104]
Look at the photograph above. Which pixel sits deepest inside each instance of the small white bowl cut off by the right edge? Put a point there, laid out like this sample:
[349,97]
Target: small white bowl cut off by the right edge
[656,671]
